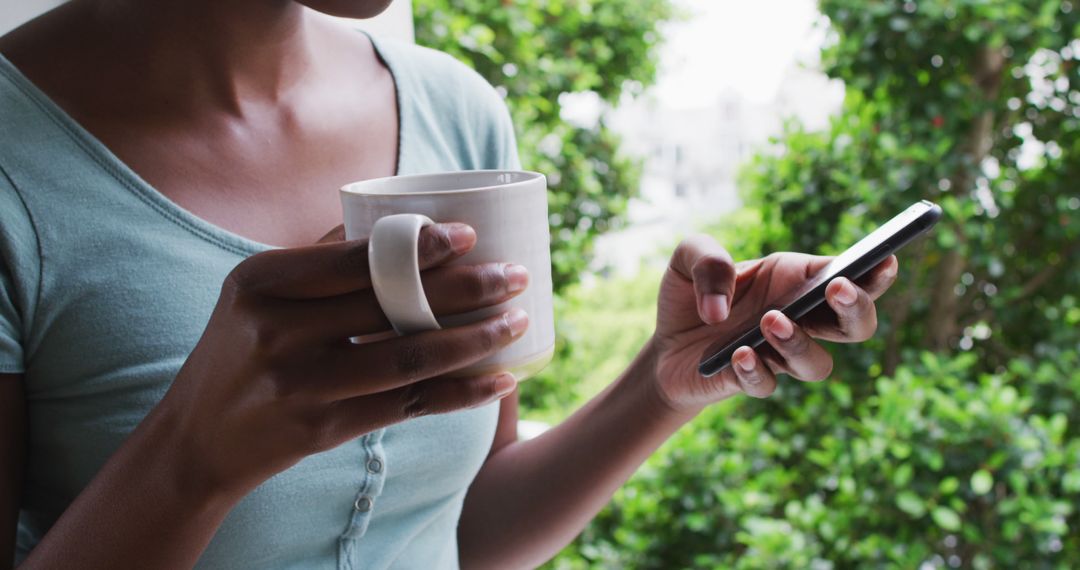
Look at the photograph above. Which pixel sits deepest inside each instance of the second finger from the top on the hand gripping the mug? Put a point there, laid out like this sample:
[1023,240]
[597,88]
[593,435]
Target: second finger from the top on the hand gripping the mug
[451,291]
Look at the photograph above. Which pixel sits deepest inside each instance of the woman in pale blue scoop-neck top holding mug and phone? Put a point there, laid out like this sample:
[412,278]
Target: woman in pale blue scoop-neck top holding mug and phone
[156,418]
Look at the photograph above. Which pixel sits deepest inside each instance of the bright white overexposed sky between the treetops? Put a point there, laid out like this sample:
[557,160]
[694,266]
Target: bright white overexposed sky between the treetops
[745,46]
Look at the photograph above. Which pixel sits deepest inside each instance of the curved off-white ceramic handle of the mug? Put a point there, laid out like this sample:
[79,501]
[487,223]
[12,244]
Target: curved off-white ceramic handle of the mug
[395,267]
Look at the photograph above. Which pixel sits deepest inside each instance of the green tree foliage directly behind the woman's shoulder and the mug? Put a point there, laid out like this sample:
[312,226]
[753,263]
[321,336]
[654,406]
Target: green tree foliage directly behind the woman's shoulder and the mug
[539,53]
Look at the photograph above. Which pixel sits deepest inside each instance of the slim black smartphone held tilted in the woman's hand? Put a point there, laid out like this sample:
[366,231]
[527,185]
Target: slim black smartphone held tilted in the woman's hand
[852,264]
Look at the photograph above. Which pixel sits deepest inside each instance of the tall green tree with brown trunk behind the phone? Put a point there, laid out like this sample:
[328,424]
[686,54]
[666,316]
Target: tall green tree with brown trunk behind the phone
[974,105]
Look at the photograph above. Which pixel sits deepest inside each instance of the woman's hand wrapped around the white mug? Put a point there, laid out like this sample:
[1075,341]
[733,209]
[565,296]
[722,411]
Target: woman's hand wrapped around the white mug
[275,377]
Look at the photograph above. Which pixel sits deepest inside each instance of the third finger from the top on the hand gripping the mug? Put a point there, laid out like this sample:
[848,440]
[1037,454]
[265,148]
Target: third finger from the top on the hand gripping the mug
[362,370]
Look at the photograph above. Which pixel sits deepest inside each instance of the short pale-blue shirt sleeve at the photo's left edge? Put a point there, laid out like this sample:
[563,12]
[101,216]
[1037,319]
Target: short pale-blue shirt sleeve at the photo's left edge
[19,277]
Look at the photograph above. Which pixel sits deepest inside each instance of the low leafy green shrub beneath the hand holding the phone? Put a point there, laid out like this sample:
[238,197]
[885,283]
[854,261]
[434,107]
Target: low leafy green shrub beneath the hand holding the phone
[936,464]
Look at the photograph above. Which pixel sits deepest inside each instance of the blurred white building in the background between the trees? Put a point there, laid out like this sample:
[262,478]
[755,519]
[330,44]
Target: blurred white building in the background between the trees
[693,158]
